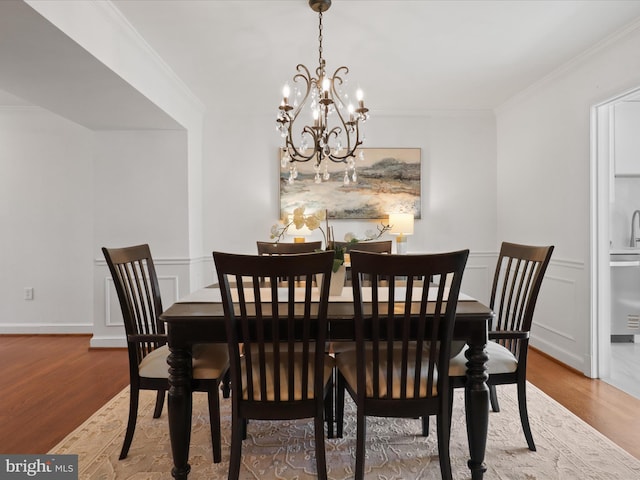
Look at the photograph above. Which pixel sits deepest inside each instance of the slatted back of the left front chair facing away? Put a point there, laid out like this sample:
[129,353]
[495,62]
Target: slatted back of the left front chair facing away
[271,328]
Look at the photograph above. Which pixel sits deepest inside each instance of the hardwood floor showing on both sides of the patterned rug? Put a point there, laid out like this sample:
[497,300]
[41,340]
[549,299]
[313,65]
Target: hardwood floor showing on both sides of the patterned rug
[51,384]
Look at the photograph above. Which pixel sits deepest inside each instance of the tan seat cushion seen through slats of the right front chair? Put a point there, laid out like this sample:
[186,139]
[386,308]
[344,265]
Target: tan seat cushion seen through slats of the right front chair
[346,362]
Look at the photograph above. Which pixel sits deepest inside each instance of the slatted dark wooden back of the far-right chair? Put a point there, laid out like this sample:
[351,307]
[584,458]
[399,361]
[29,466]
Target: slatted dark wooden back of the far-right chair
[517,280]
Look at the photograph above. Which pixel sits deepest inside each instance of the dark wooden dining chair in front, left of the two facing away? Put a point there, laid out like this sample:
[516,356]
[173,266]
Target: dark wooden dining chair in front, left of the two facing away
[277,336]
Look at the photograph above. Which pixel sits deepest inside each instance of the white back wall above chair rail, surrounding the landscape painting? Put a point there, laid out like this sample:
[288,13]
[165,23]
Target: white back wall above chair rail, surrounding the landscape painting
[241,179]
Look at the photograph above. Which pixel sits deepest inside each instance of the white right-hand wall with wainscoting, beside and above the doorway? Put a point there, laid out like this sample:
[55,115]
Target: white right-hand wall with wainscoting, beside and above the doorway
[544,180]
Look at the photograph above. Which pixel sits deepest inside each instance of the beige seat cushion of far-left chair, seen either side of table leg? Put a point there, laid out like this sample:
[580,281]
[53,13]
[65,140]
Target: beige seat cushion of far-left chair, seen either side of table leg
[209,361]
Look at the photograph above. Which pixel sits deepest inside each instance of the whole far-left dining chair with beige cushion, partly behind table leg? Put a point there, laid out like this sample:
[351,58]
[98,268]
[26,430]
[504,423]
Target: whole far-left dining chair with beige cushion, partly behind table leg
[136,284]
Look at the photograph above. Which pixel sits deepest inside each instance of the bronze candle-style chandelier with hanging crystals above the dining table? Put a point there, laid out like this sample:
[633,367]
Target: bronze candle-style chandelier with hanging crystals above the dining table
[333,133]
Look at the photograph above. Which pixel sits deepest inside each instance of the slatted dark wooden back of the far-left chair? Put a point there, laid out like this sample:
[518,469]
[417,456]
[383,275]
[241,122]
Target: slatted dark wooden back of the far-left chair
[135,280]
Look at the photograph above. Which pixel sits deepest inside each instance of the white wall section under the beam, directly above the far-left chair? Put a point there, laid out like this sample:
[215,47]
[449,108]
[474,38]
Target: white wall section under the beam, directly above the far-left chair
[141,190]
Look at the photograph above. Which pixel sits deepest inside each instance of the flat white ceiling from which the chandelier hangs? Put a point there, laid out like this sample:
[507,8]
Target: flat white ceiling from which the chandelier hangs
[408,56]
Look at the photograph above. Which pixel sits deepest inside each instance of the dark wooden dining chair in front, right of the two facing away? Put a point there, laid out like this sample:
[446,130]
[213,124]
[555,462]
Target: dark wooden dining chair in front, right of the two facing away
[402,344]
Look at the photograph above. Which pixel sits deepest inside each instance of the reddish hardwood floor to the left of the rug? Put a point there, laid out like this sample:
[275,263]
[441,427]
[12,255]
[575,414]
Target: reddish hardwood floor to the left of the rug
[50,385]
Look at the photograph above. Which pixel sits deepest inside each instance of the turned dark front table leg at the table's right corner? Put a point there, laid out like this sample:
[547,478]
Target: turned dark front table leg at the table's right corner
[477,405]
